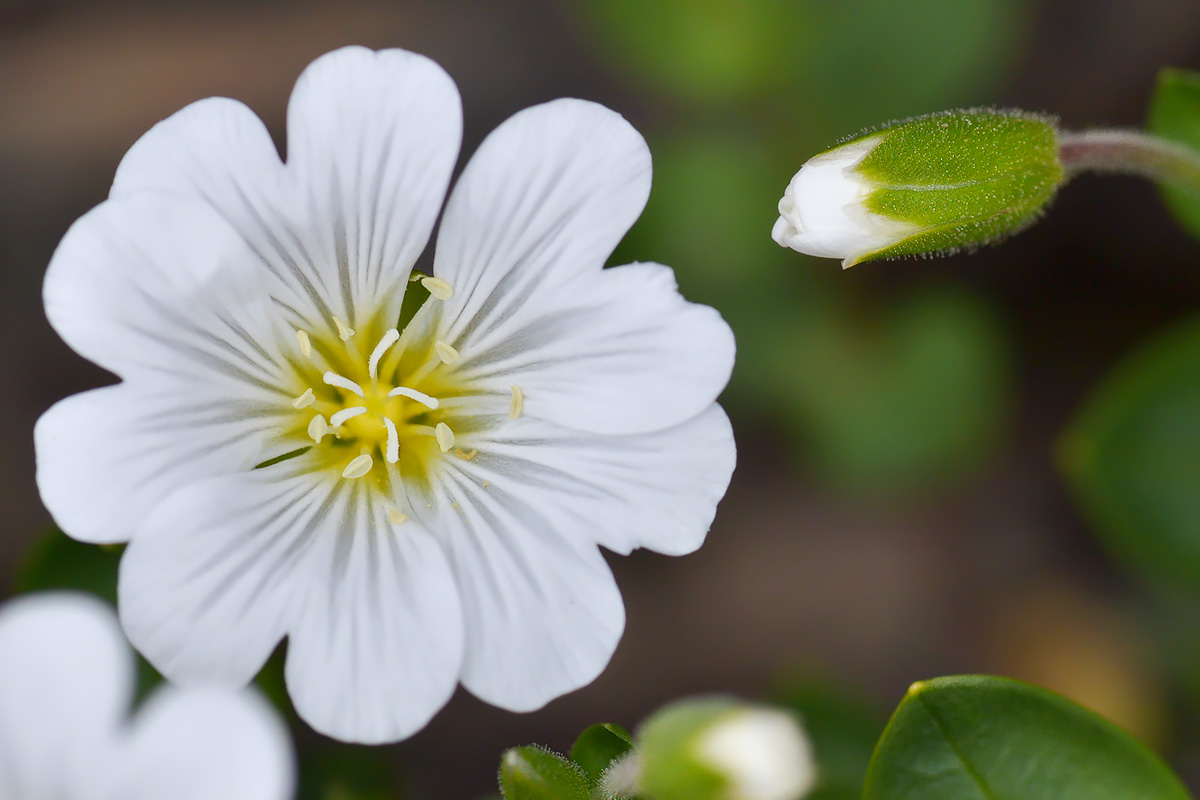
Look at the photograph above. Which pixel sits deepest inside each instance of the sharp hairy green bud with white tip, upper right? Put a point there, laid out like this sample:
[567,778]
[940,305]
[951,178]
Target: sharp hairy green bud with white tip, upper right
[931,185]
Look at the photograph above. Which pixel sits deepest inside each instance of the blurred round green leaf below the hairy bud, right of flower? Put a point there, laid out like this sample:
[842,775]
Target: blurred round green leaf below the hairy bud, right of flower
[901,402]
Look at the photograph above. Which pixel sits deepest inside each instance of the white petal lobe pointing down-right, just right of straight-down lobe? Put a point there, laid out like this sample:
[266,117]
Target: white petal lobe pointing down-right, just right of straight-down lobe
[543,612]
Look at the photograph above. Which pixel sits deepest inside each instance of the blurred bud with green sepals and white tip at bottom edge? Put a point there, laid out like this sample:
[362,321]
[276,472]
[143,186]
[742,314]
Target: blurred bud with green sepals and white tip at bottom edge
[721,749]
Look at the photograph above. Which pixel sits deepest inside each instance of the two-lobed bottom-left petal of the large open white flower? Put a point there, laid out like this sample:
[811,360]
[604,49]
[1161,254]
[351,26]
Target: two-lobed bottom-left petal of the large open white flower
[224,569]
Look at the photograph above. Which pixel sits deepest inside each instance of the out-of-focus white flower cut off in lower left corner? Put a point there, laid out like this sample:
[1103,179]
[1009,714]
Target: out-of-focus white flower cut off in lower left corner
[67,684]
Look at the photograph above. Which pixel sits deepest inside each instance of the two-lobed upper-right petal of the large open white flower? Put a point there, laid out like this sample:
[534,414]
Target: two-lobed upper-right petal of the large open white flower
[527,230]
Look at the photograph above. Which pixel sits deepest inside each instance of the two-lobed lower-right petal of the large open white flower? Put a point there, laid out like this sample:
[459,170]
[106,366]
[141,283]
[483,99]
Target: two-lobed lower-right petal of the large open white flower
[539,496]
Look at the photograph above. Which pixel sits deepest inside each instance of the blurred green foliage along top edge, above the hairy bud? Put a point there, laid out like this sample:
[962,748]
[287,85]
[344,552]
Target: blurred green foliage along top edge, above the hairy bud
[825,64]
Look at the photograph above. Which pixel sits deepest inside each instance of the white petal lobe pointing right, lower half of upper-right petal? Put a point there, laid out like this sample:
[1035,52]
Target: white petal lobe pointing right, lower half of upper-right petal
[614,352]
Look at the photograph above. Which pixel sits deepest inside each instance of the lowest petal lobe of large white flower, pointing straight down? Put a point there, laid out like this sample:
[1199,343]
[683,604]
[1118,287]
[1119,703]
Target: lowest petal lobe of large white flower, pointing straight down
[377,647]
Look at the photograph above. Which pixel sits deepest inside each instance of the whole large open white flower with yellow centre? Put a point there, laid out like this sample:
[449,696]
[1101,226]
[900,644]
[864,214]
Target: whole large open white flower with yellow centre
[451,477]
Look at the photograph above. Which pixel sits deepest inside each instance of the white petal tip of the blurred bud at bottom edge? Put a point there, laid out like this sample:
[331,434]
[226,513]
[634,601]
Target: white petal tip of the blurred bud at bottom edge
[763,753]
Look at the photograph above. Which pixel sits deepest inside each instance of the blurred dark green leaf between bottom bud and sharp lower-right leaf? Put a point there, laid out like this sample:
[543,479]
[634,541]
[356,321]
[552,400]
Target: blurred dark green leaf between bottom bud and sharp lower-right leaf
[844,731]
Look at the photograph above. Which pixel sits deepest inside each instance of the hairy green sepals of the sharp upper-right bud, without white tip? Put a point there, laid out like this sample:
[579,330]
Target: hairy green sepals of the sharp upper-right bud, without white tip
[963,178]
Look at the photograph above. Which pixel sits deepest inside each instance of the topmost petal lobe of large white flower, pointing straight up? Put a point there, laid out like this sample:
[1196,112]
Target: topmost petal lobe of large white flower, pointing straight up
[373,140]
